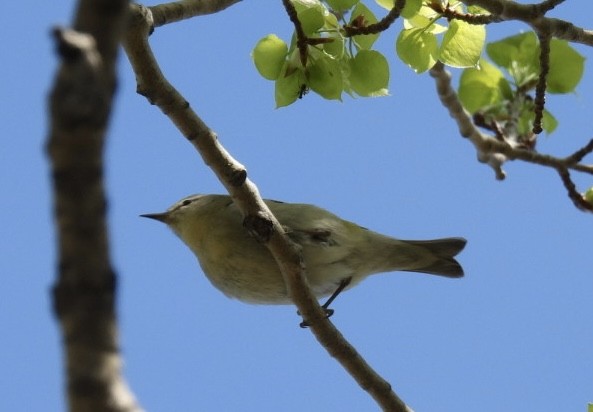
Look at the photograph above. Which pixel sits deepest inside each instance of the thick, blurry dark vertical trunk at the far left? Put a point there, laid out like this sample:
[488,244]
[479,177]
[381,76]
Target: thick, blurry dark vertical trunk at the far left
[84,291]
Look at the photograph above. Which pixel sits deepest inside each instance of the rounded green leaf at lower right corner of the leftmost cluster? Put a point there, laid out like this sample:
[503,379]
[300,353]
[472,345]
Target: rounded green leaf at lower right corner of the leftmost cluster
[369,73]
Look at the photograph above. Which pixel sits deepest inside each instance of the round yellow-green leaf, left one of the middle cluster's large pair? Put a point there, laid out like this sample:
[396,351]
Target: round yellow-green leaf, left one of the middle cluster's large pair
[417,48]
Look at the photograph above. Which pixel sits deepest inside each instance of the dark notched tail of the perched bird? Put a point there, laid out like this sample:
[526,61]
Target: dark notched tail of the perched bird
[444,250]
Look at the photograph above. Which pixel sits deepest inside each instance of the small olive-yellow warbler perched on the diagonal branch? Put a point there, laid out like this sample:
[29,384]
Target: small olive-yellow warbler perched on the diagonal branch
[338,254]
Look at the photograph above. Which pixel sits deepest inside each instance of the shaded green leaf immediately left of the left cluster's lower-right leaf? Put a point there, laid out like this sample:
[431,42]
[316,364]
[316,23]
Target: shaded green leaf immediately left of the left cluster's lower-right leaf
[325,78]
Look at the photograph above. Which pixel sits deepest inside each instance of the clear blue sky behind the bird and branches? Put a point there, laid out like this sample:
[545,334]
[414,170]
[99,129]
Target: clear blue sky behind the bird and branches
[515,334]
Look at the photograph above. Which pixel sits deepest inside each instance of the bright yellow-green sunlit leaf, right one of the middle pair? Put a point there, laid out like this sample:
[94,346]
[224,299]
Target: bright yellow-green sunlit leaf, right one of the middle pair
[462,44]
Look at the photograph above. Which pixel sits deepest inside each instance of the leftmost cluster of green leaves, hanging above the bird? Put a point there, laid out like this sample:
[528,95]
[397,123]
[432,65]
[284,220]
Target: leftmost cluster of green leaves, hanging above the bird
[334,63]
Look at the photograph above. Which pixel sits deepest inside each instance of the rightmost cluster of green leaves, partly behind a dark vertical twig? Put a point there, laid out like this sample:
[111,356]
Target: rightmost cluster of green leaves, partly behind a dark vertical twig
[501,92]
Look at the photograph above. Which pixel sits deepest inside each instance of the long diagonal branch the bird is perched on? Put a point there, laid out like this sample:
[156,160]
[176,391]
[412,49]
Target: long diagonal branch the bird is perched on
[153,85]
